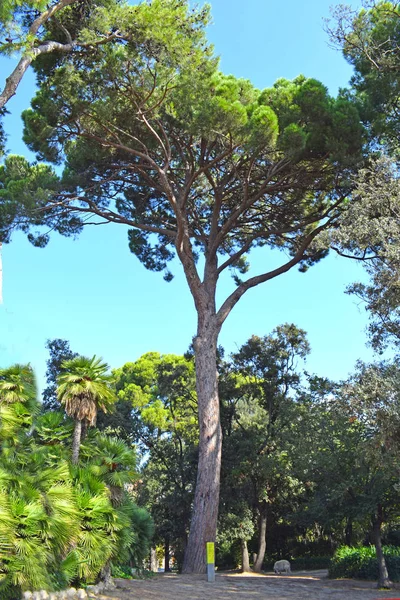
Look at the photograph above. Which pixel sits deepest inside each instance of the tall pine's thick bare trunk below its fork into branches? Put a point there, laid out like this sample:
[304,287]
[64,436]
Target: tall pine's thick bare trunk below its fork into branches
[203,527]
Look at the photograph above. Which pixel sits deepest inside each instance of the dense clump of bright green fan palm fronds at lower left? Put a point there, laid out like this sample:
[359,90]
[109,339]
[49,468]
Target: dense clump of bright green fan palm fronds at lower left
[60,524]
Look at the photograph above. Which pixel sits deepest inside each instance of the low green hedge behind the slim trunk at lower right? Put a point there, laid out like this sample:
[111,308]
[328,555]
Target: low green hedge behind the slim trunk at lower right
[361,563]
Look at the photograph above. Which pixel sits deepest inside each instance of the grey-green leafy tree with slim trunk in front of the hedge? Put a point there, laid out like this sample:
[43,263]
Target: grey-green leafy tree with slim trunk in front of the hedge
[349,458]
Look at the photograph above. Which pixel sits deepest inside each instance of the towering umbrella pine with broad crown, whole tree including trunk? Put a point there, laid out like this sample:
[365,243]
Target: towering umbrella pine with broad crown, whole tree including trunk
[206,163]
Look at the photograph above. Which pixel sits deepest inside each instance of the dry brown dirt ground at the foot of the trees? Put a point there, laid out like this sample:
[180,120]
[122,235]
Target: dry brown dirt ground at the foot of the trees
[310,585]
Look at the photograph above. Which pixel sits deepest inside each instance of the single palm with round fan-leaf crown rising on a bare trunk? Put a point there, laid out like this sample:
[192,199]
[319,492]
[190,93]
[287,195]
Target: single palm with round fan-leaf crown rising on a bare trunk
[84,387]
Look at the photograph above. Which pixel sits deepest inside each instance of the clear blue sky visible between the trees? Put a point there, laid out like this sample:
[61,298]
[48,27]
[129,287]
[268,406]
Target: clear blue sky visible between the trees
[97,295]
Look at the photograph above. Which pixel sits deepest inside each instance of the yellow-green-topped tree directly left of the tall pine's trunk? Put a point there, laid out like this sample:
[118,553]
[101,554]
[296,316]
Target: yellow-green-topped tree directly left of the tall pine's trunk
[160,390]
